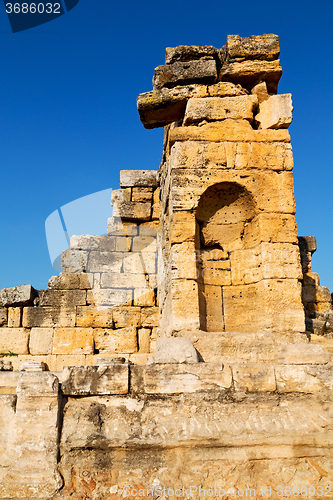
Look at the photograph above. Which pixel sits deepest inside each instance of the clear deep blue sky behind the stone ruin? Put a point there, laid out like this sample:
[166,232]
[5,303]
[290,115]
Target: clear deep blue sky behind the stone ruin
[69,122]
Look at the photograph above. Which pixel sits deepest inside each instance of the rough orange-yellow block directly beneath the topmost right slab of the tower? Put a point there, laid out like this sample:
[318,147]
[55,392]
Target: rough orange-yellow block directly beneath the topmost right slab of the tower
[249,73]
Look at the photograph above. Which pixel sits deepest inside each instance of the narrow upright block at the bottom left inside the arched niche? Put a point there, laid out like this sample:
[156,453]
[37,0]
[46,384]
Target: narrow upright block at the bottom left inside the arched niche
[212,308]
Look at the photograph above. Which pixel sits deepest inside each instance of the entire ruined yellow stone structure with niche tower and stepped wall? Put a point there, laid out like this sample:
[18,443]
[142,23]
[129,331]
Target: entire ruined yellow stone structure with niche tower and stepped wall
[188,352]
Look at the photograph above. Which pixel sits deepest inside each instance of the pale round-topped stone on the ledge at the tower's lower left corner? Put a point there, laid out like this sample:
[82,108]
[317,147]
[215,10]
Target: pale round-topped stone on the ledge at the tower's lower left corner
[174,350]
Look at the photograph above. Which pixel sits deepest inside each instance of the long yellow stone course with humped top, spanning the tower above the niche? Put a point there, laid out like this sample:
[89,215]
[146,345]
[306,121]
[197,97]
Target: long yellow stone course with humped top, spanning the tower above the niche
[227,130]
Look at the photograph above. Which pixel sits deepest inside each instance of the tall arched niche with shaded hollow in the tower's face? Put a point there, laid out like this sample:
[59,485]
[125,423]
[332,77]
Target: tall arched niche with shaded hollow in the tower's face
[223,215]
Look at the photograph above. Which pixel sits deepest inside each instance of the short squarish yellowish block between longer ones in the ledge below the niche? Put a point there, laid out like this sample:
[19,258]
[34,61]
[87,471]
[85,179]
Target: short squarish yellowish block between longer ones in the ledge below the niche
[254,377]
